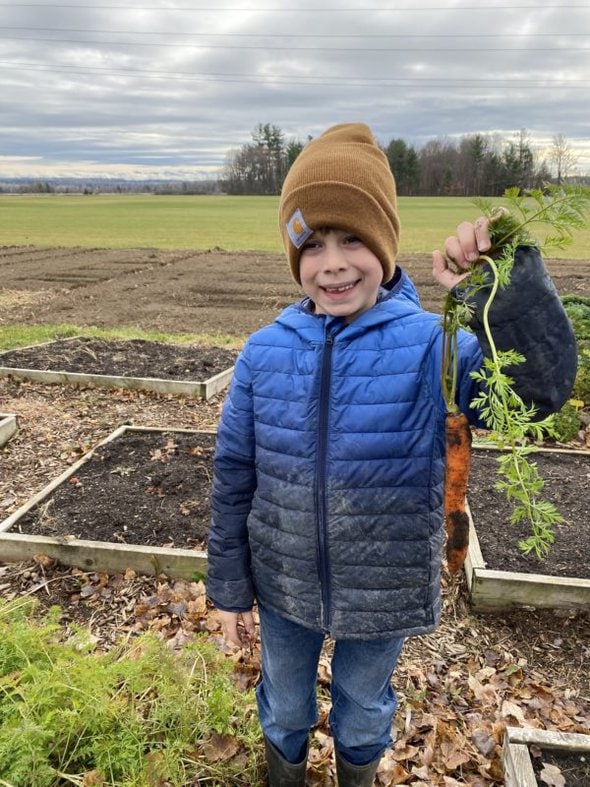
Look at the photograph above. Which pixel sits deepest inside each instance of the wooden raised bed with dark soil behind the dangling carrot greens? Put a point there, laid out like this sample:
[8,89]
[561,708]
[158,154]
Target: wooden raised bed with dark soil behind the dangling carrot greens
[499,575]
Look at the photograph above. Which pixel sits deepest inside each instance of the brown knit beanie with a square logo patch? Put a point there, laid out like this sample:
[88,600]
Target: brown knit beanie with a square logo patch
[341,180]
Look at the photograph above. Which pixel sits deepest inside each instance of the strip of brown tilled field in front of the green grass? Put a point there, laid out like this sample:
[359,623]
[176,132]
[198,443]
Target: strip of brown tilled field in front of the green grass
[181,291]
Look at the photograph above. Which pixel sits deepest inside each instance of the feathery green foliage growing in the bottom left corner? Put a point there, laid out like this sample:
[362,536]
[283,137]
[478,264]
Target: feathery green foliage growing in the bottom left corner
[136,716]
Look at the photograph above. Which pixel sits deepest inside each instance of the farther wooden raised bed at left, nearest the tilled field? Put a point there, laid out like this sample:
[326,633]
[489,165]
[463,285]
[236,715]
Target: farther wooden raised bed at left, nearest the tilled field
[190,370]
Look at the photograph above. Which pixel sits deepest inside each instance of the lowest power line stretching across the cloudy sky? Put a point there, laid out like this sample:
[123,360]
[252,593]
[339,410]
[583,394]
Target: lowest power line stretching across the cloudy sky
[285,79]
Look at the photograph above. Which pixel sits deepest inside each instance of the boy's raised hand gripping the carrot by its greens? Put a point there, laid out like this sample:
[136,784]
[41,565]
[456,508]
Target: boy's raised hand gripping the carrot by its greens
[461,251]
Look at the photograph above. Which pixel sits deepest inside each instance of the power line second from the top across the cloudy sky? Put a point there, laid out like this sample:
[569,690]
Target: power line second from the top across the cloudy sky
[476,49]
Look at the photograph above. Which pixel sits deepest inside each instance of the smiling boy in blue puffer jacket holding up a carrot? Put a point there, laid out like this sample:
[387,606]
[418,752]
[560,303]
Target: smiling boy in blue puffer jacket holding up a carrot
[327,495]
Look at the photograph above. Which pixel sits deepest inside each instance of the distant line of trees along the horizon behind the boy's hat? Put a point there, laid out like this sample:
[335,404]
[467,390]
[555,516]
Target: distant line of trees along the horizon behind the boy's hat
[475,165]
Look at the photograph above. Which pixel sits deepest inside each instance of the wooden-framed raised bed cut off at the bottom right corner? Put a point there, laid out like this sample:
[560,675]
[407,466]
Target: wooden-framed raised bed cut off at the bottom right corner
[527,753]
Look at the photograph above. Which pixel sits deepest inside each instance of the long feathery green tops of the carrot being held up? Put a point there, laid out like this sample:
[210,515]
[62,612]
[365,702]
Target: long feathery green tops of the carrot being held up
[511,422]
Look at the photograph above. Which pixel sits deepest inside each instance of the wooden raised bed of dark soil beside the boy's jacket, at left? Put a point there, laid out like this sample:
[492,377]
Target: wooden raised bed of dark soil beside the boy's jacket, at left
[139,499]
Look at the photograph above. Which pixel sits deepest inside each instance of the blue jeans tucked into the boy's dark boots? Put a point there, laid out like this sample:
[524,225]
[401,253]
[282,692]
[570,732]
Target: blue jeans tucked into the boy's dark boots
[363,701]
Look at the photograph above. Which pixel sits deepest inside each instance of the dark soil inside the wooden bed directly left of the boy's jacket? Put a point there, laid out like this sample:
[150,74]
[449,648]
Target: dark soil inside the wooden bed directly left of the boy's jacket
[148,488]
